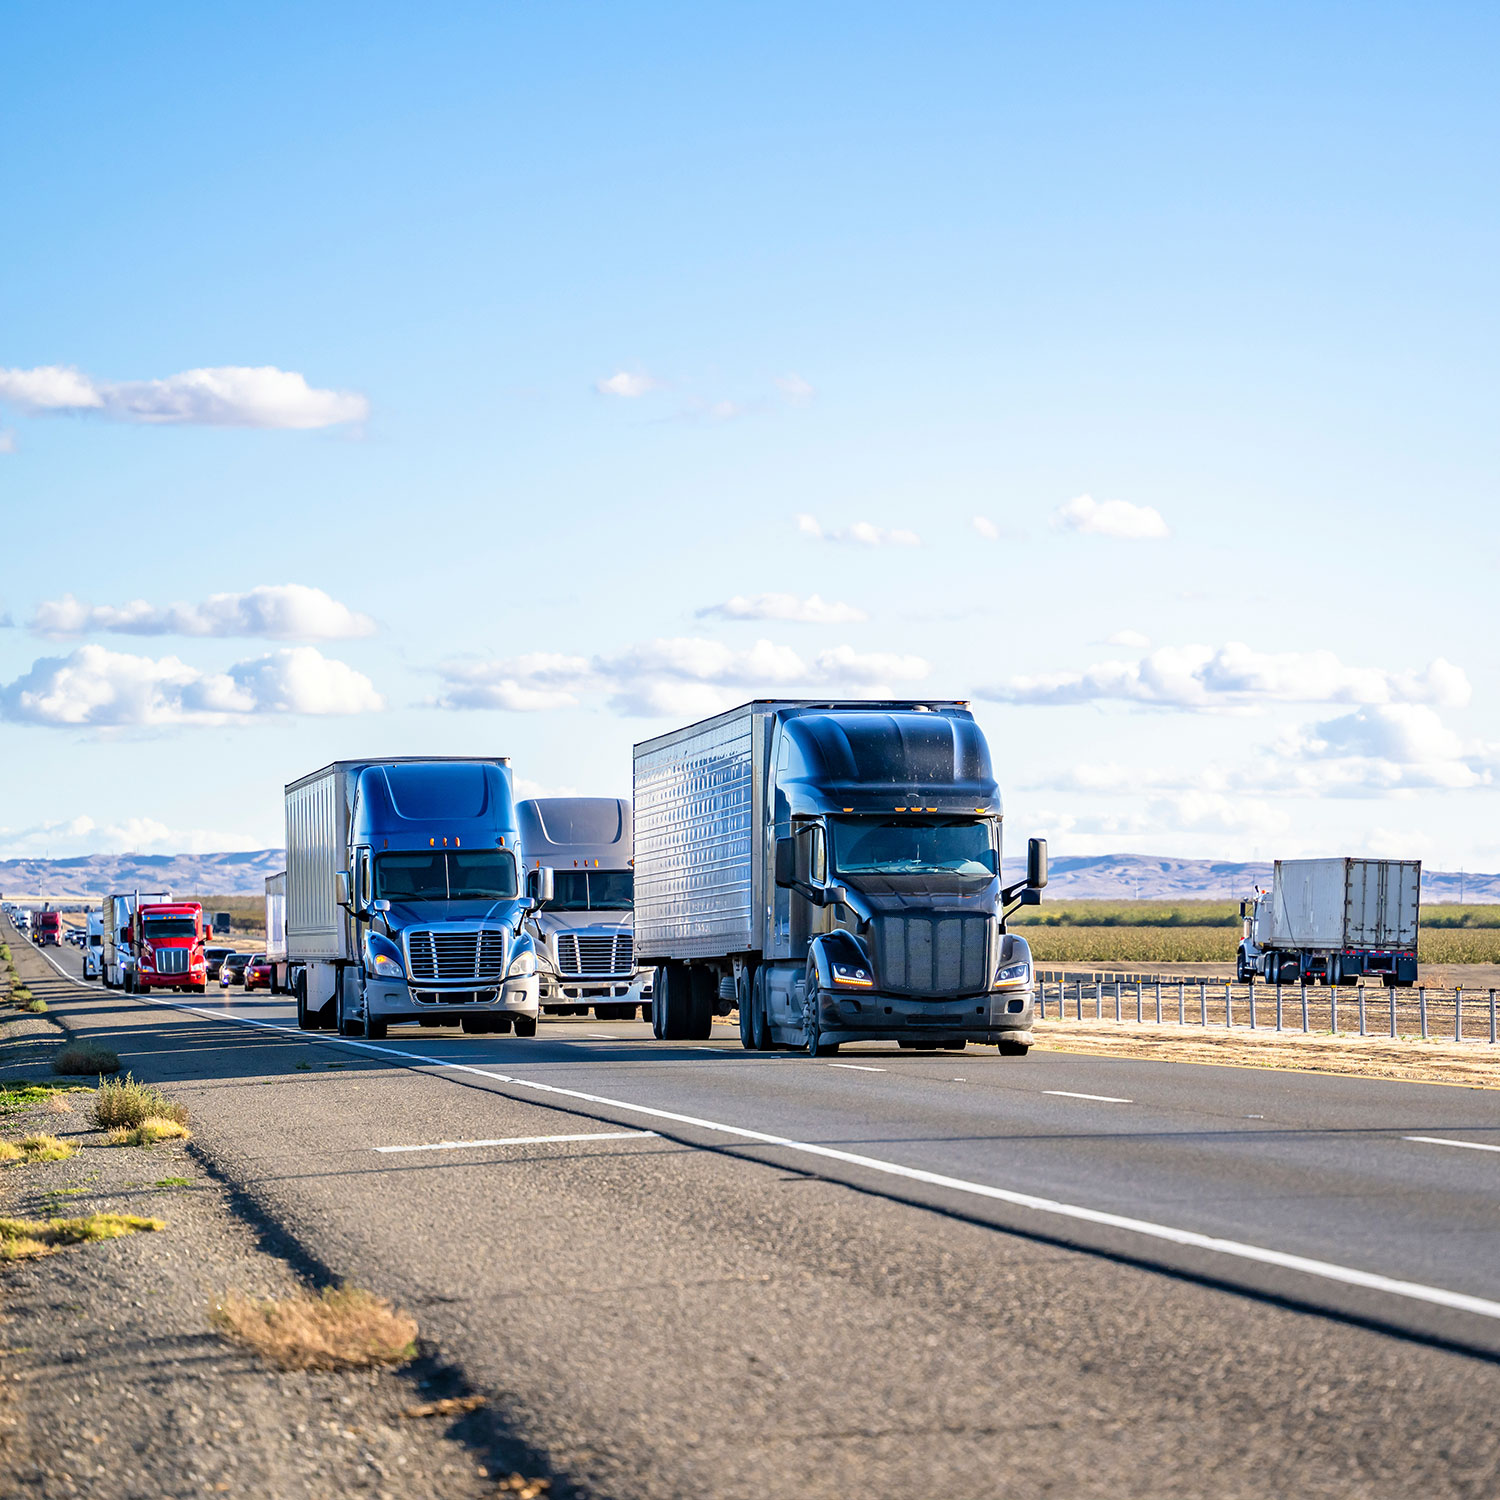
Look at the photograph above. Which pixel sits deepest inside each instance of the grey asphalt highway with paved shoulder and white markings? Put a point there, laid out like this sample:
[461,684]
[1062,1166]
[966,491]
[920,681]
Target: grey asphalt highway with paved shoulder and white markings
[698,1271]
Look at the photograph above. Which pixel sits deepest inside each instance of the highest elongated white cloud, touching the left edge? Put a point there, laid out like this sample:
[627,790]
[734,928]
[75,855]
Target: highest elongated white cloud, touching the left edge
[226,397]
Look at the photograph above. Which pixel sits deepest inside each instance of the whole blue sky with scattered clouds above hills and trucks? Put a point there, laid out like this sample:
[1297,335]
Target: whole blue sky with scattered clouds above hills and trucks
[532,379]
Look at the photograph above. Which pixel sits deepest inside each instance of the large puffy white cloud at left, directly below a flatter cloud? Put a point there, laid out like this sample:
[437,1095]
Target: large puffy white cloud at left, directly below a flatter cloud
[110,689]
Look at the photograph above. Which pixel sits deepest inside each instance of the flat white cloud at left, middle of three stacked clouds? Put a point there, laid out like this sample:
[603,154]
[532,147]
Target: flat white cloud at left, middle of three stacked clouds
[274,611]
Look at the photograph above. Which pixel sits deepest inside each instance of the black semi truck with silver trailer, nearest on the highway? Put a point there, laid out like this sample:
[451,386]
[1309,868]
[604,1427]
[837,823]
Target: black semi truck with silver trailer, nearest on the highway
[835,872]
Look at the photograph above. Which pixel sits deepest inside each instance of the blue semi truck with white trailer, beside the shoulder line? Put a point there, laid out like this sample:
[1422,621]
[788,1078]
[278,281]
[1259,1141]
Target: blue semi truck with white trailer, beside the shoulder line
[406,898]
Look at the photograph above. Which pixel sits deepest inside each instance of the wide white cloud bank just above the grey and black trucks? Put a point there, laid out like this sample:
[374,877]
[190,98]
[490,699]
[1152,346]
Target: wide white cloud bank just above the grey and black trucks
[685,676]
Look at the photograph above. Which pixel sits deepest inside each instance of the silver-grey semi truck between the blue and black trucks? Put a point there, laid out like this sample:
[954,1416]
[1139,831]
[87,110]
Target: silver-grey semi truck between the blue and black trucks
[586,934]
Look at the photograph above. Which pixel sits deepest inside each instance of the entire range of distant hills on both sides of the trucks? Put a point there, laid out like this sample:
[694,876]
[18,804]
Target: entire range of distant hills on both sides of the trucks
[1100,878]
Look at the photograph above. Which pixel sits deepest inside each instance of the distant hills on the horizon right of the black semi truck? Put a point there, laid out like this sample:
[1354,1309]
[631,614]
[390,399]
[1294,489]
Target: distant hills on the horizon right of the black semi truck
[1154,878]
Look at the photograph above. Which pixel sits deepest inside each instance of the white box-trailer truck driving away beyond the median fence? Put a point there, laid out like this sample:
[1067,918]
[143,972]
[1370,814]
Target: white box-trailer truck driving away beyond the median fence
[1334,922]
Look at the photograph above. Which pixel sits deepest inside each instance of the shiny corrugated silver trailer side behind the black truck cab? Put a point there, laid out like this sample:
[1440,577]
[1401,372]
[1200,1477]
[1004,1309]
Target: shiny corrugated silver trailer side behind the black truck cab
[698,818]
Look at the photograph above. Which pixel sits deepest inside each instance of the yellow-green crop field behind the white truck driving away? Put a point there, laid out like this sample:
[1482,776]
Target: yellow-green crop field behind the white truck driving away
[1208,932]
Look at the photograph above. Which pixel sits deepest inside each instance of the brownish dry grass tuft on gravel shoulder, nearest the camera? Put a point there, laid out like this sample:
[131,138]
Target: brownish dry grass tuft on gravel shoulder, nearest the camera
[343,1330]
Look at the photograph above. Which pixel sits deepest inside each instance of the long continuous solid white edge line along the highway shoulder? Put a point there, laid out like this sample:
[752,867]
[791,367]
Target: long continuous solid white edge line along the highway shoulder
[1187,1238]
